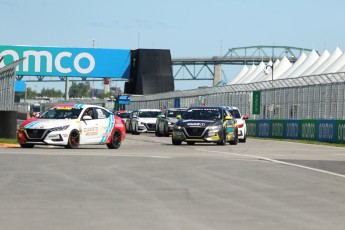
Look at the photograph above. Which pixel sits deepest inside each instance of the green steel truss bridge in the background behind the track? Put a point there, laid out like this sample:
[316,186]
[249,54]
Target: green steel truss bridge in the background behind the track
[209,68]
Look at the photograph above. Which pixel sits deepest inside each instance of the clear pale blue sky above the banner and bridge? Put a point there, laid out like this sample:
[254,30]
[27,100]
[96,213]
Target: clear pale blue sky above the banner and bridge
[188,28]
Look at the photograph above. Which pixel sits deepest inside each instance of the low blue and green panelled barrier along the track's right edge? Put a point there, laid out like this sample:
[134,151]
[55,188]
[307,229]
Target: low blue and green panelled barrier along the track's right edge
[323,130]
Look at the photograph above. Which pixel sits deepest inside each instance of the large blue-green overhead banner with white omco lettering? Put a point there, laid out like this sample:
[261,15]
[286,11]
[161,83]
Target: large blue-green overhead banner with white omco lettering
[68,62]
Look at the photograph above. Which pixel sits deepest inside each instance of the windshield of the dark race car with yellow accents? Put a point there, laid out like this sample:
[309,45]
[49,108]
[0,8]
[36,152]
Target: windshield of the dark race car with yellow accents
[203,114]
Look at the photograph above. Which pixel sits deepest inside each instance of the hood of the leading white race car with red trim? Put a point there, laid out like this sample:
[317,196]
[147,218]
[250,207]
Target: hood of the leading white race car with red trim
[46,123]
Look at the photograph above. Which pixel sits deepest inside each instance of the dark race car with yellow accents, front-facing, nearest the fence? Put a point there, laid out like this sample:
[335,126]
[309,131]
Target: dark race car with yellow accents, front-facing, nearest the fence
[202,124]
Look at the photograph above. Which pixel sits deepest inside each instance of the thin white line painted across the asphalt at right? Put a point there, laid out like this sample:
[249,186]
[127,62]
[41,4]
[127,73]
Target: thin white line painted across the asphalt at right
[278,162]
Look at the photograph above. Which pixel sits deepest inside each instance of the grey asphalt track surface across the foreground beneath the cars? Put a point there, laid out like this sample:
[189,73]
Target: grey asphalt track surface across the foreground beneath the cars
[150,184]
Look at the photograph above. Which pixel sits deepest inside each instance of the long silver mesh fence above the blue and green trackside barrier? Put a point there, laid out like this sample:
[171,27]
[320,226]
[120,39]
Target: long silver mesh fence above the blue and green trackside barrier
[317,96]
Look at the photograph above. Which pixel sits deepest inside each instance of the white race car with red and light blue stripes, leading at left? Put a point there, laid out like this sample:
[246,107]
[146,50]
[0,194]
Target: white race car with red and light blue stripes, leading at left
[71,125]
